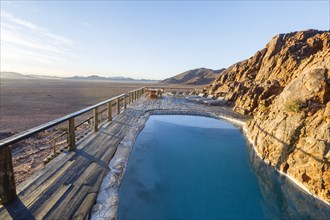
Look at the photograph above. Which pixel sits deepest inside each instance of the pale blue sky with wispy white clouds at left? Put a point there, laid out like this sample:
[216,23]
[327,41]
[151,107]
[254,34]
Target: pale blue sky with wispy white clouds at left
[144,39]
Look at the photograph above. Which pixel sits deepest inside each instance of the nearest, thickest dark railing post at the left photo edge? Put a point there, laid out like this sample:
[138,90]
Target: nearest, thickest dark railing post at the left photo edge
[7,178]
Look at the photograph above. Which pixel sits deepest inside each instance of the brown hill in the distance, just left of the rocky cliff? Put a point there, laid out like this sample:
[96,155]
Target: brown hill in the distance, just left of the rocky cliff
[200,76]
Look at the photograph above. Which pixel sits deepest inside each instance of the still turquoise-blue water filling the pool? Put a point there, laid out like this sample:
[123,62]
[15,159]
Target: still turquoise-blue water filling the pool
[189,167]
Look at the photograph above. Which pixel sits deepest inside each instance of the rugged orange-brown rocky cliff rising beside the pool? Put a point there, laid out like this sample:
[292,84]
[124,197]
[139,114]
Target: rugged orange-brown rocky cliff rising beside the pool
[285,88]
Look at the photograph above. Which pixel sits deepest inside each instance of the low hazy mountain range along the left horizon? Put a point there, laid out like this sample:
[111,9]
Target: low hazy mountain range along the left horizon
[14,75]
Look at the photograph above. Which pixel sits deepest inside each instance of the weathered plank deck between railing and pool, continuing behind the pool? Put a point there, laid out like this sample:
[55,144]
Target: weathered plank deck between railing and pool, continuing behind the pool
[67,187]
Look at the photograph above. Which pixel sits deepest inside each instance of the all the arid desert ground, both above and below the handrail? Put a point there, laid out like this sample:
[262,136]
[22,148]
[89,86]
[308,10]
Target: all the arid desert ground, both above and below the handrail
[26,103]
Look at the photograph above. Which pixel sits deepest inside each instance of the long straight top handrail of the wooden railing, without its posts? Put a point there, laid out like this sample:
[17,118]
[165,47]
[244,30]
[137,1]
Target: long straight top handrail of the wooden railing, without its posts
[28,133]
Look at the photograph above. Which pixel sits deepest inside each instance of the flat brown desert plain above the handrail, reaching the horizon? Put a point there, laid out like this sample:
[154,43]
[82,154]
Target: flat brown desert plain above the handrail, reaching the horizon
[26,103]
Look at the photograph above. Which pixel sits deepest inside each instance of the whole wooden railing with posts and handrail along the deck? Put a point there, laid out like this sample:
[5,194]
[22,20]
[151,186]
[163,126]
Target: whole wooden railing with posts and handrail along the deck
[7,179]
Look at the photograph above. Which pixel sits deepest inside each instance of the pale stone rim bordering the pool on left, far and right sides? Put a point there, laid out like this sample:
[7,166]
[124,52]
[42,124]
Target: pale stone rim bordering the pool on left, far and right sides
[107,202]
